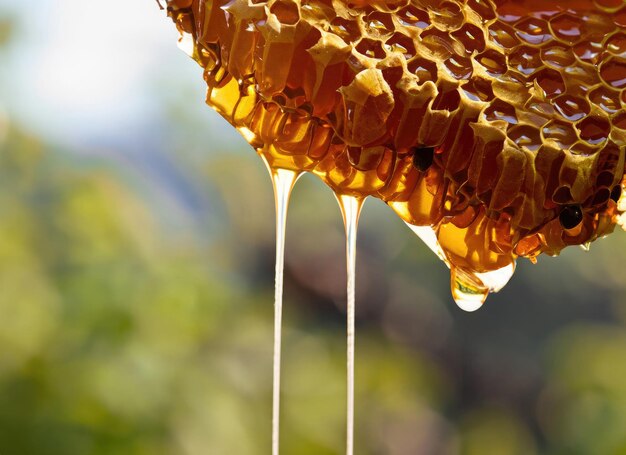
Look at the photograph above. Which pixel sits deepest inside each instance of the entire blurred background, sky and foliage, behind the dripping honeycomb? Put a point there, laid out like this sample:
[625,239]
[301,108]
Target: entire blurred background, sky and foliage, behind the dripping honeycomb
[136,283]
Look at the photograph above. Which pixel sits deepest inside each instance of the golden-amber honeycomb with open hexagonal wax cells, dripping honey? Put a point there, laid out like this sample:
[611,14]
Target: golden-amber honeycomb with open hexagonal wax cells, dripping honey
[498,124]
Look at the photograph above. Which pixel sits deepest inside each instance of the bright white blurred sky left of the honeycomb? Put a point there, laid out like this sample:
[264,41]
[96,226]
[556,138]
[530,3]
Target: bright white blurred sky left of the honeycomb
[83,70]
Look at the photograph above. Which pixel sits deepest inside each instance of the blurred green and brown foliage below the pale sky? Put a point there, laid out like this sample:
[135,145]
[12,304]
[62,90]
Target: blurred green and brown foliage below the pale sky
[120,334]
